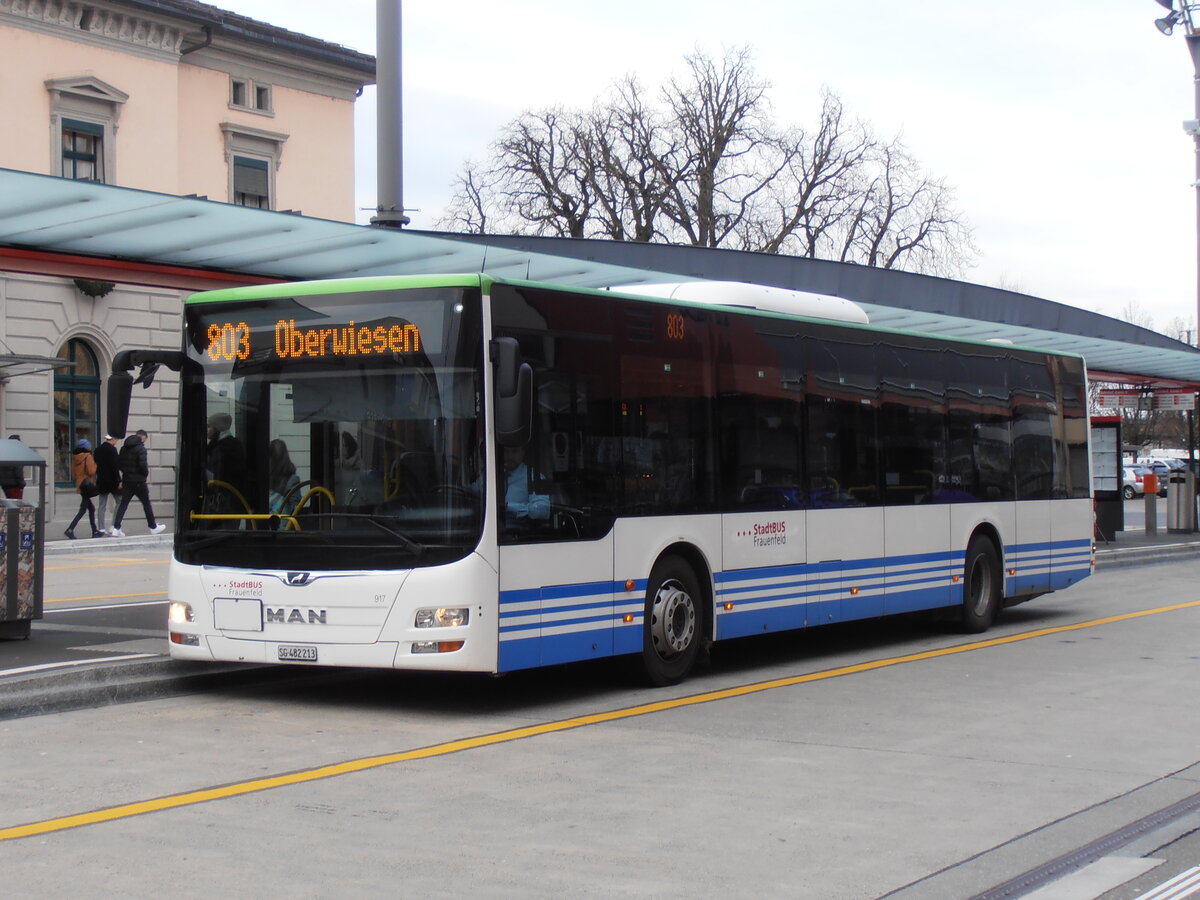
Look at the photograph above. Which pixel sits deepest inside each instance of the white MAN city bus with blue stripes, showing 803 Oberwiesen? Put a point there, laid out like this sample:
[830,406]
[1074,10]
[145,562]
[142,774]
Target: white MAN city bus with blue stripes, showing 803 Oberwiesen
[482,475]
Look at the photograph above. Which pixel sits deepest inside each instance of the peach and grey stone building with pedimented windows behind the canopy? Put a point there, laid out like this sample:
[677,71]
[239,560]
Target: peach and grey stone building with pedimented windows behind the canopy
[170,97]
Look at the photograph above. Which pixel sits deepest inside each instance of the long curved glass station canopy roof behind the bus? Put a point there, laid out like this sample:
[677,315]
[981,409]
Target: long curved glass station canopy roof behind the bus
[55,215]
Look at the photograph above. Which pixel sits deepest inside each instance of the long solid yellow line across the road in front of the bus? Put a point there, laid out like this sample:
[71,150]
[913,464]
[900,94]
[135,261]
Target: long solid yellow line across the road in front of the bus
[189,799]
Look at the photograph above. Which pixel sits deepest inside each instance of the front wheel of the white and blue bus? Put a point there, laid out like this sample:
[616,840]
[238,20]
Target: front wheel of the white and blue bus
[674,622]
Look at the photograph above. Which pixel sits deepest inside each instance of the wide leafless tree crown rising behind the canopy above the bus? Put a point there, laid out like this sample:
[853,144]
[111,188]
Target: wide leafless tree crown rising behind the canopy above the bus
[709,167]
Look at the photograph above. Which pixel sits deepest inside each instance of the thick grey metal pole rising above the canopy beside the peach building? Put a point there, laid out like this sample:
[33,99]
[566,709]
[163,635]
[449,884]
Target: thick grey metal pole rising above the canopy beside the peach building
[389,118]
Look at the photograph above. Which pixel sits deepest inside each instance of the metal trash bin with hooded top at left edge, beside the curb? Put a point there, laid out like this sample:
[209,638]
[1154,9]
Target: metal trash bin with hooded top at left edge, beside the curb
[22,548]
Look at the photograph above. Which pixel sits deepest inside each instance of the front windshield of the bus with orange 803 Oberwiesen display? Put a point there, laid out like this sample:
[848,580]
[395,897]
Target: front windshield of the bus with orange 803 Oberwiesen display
[339,430]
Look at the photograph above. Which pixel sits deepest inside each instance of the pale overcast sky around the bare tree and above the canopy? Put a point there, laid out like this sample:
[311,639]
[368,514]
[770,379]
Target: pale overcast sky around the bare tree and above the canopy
[1059,125]
